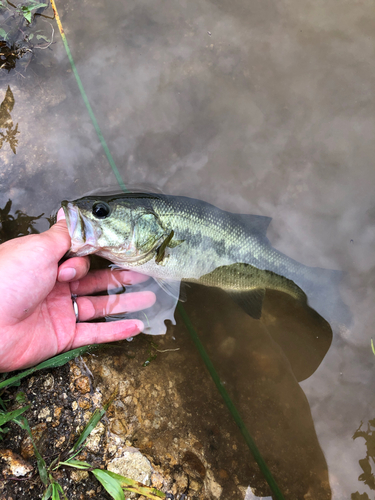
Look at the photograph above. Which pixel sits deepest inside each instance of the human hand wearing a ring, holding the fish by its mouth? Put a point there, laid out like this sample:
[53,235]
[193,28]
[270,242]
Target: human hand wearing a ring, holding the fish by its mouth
[37,320]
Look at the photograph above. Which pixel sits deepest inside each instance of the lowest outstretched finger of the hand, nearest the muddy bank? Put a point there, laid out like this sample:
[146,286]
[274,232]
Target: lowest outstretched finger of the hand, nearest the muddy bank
[97,333]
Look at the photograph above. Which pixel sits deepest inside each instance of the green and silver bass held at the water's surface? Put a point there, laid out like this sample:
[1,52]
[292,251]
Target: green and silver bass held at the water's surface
[176,239]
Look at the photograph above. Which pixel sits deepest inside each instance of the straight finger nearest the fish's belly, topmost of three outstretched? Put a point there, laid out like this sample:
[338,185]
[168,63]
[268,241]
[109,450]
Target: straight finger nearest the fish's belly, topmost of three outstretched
[106,279]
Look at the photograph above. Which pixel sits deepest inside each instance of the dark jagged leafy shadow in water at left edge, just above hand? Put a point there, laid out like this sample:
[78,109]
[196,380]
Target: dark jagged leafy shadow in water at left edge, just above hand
[14,226]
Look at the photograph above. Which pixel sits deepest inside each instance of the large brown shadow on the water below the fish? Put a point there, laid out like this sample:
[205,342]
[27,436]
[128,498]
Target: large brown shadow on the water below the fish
[260,363]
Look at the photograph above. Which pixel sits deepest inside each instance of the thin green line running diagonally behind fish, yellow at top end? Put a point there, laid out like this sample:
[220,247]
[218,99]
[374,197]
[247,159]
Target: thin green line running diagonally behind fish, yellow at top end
[193,334]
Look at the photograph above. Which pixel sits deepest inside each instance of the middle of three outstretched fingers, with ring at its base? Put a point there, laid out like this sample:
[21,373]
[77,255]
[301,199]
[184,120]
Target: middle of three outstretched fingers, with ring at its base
[98,307]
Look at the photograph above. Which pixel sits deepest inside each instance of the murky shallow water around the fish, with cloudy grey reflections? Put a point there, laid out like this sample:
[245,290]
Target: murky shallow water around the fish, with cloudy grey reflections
[263,108]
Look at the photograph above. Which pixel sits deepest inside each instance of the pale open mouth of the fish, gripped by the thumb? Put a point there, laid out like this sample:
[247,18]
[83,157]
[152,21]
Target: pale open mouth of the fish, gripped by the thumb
[82,233]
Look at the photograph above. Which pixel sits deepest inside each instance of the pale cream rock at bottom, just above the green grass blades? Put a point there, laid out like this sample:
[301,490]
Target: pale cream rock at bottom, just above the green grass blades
[133,465]
